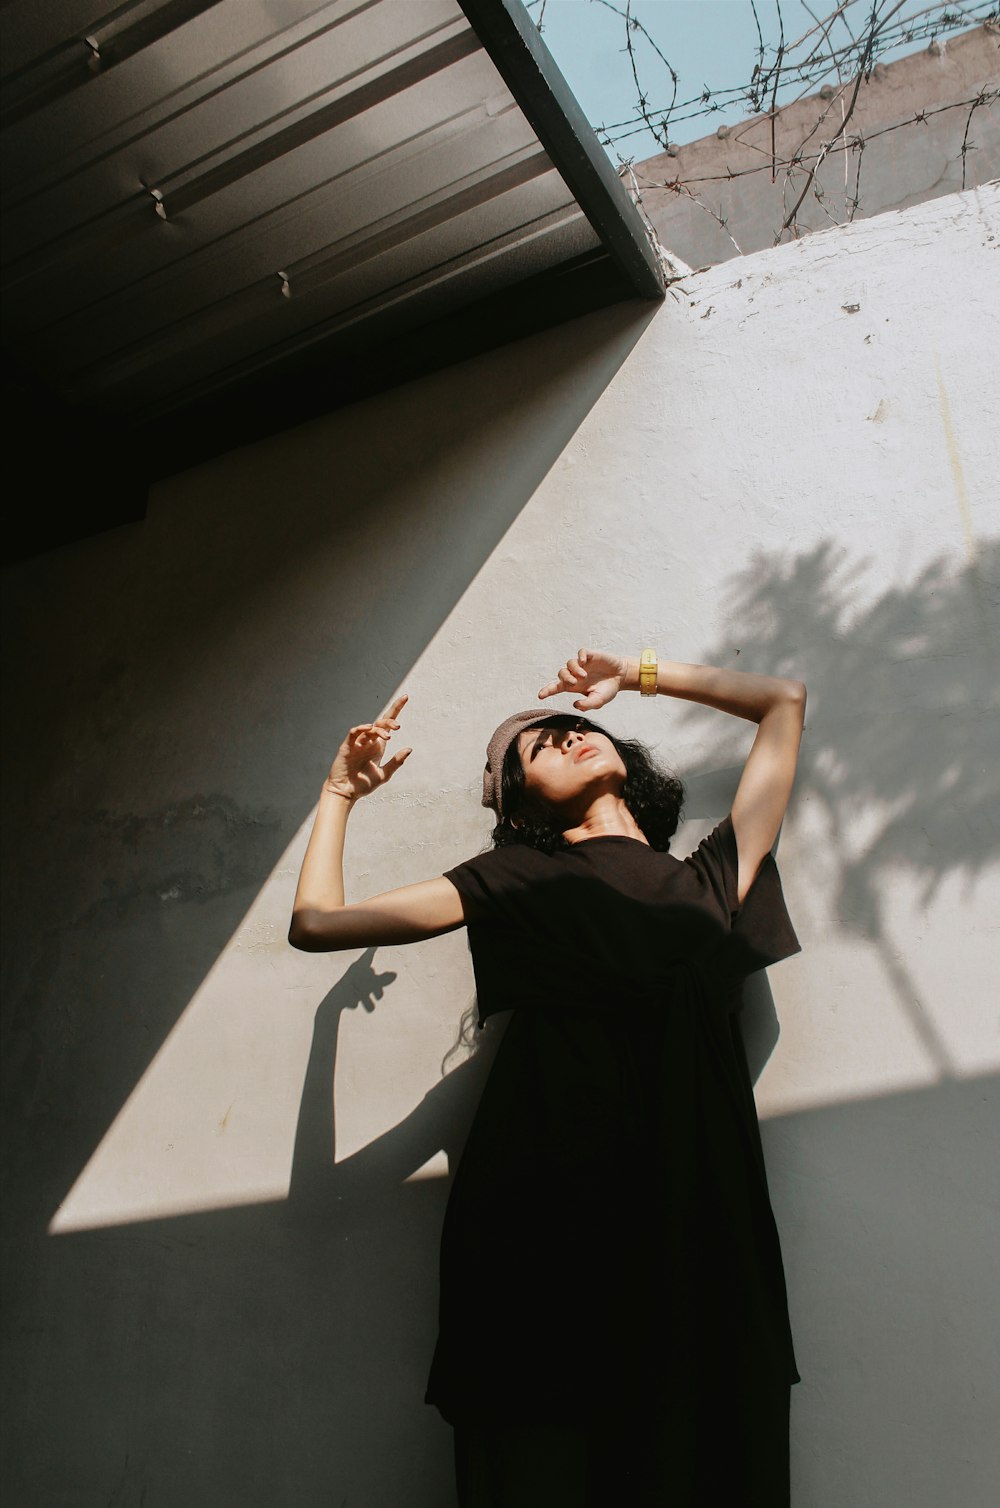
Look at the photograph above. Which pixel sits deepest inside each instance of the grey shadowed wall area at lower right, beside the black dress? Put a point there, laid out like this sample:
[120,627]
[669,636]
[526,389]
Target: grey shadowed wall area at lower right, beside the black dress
[888,1210]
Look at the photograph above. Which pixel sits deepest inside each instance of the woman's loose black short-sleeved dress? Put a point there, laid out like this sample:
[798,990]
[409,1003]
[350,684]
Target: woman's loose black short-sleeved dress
[610,1258]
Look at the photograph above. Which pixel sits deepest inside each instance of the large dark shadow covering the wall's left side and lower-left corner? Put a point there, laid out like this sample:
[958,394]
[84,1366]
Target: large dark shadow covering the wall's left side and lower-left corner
[176,690]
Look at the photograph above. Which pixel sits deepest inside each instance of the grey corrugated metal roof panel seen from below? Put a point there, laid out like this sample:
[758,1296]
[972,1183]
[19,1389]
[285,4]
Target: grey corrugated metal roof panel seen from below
[194,191]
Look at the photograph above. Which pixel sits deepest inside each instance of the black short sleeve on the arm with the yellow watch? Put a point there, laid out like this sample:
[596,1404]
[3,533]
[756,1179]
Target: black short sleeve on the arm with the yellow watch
[761,928]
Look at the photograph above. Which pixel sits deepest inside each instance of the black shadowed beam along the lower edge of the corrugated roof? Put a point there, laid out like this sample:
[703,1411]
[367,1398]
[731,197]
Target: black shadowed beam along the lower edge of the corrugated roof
[82,473]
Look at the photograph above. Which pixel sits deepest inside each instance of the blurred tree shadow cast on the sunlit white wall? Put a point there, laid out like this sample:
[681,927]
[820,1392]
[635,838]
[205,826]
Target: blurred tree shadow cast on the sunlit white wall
[900,755]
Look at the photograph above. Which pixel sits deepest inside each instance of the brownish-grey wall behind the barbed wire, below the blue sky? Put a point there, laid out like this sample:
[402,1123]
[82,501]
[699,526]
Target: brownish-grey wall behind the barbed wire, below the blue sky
[716,198]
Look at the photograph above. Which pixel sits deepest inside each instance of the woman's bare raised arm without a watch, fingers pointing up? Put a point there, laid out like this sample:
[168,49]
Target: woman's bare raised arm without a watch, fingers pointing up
[322,922]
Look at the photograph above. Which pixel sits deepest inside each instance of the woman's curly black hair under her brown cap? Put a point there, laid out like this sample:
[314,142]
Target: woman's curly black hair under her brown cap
[652,795]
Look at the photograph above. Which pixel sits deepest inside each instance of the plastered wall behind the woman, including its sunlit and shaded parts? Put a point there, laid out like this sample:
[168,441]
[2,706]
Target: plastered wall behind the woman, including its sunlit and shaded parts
[225,1159]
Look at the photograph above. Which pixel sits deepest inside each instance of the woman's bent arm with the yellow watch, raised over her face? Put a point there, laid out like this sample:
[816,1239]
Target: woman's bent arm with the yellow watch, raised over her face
[776,705]
